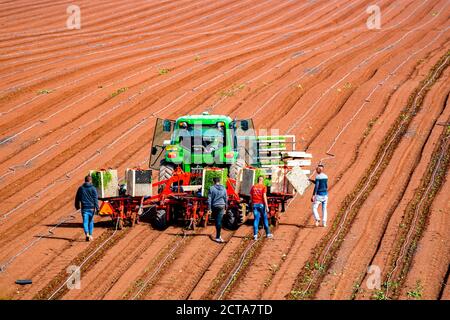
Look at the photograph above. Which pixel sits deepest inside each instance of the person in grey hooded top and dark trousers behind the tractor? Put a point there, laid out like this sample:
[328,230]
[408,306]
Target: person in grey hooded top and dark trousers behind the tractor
[217,204]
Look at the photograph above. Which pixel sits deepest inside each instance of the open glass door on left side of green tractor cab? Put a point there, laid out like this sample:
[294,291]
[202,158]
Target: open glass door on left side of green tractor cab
[161,136]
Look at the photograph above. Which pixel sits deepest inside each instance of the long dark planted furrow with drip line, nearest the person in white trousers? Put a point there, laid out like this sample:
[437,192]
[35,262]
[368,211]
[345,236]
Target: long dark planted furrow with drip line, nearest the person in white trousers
[308,280]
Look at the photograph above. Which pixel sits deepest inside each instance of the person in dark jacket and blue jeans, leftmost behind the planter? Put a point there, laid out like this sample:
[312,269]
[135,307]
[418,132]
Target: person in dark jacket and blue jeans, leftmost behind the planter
[87,200]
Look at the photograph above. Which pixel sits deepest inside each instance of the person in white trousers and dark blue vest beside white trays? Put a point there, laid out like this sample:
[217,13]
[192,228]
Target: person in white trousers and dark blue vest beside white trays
[320,195]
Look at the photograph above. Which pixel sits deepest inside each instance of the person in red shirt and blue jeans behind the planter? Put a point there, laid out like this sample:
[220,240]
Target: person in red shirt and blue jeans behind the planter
[258,195]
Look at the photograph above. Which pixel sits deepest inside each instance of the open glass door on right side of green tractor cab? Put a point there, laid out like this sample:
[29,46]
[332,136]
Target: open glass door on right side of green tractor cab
[245,141]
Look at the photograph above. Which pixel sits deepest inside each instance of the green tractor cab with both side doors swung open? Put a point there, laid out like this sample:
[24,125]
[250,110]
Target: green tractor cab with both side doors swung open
[196,141]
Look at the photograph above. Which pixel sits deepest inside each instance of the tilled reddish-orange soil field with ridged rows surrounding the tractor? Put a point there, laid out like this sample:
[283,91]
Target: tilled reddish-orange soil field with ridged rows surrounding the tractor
[373,105]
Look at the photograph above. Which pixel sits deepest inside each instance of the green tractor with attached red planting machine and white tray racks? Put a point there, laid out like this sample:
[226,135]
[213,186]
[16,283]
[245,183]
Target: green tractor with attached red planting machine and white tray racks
[183,153]
